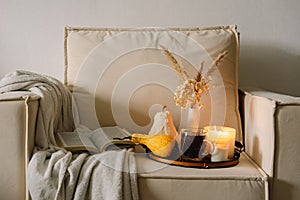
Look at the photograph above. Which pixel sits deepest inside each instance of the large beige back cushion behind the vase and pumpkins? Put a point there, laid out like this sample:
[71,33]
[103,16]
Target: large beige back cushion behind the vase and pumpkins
[121,76]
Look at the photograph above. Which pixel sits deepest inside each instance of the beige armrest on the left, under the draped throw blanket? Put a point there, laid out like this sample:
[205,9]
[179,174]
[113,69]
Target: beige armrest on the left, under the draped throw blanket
[17,119]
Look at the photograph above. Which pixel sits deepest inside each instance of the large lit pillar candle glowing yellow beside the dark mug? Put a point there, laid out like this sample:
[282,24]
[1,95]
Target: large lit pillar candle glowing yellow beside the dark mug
[221,136]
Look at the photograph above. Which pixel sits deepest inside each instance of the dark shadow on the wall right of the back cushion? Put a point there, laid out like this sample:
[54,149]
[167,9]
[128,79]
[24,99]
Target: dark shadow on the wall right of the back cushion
[269,67]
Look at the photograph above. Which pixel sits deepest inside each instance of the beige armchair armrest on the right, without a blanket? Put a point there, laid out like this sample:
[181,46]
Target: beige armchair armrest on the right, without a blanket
[271,136]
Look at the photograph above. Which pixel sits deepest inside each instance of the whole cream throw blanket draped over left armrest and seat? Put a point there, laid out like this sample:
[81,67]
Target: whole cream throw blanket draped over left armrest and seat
[54,173]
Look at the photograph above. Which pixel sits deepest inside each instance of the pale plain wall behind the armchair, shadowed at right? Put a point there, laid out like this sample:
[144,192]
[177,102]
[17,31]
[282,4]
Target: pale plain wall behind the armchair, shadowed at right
[31,32]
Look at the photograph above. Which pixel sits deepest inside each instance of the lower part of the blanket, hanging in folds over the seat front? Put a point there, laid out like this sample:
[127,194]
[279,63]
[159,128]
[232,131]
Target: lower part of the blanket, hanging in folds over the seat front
[62,175]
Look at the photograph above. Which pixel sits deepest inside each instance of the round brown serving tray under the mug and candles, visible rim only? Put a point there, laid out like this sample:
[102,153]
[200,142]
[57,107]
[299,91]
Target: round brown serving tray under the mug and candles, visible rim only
[205,164]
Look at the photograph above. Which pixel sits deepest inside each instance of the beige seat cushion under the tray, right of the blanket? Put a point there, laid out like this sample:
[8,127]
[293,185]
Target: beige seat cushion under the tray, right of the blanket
[246,181]
